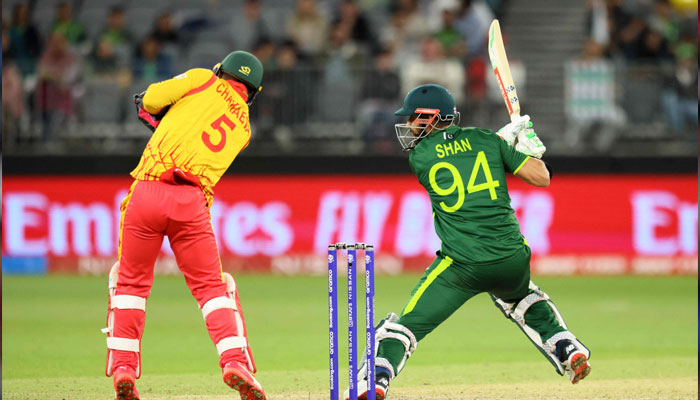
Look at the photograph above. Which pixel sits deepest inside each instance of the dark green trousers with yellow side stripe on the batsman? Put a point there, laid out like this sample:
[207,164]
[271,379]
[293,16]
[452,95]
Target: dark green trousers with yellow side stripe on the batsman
[447,284]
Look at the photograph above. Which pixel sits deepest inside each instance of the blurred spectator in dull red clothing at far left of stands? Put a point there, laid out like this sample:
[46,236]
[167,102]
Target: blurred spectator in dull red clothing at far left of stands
[58,71]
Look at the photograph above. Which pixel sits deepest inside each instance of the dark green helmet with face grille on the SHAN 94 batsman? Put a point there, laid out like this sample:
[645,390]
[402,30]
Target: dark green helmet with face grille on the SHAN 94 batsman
[426,106]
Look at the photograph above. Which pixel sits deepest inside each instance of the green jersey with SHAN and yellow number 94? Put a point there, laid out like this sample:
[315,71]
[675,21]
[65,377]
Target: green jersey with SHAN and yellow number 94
[463,170]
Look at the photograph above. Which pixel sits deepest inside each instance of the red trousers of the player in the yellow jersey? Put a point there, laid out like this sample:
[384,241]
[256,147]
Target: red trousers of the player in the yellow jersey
[152,210]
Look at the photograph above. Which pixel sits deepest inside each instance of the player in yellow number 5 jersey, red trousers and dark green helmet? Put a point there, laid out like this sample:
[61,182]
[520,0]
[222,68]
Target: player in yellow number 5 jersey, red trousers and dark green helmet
[200,124]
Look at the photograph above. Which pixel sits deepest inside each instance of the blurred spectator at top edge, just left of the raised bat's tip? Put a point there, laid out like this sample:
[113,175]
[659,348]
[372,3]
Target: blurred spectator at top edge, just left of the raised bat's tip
[473,21]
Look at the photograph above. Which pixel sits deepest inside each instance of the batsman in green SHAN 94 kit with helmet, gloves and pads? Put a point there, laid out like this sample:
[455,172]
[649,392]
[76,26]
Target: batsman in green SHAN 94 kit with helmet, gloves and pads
[464,171]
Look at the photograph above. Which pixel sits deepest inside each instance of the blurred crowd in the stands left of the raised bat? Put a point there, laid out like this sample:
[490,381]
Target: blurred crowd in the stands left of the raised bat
[325,61]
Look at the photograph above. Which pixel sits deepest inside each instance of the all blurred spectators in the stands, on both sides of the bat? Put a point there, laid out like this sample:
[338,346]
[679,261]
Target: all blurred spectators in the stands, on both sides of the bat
[75,63]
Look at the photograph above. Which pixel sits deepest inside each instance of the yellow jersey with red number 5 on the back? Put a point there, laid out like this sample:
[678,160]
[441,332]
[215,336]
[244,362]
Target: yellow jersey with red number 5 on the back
[203,131]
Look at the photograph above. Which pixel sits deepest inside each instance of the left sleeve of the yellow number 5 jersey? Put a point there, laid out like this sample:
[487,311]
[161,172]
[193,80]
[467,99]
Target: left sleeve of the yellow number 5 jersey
[165,93]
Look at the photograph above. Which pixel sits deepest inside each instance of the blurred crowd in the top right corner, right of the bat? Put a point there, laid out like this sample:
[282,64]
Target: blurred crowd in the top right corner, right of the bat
[659,35]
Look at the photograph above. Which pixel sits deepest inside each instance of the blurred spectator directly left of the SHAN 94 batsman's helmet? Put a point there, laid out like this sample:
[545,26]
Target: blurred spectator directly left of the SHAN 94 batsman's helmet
[380,93]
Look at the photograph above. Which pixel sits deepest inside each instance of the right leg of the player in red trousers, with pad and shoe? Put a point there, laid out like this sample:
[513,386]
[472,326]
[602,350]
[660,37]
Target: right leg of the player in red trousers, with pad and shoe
[216,293]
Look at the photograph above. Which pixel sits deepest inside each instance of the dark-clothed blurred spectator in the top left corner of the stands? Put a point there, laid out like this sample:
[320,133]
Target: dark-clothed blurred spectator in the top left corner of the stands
[23,40]
